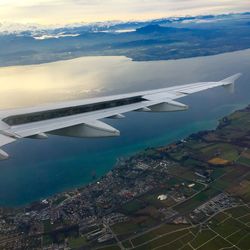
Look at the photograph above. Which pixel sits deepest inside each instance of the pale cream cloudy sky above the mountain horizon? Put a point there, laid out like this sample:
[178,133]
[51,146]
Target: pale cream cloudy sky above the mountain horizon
[52,12]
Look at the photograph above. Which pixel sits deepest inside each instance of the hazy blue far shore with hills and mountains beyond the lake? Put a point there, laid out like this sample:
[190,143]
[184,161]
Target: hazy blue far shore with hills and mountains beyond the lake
[160,39]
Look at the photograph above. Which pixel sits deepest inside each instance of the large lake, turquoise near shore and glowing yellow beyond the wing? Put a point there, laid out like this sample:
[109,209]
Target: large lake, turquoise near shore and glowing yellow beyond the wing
[40,168]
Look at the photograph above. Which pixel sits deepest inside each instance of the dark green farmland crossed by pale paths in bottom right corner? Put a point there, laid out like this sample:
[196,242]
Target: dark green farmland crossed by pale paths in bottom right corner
[224,230]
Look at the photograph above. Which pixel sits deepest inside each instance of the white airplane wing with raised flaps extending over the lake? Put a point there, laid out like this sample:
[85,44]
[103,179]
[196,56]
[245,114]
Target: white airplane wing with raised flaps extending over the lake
[82,118]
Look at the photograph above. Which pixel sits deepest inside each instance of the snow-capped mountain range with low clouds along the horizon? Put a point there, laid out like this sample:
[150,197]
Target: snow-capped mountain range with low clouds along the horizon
[75,29]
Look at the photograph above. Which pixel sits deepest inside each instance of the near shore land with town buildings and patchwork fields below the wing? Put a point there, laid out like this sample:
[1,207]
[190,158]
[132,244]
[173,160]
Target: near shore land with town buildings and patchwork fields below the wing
[192,194]
